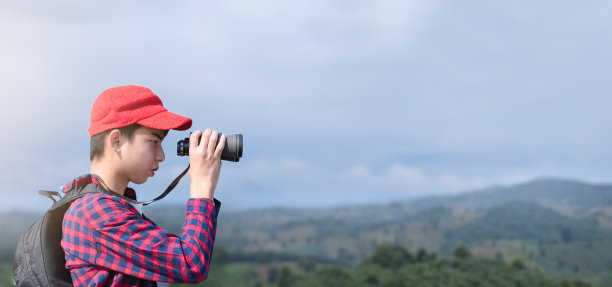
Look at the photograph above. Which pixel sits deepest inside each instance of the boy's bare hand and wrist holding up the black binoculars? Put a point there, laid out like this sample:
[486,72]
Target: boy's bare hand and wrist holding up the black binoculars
[205,161]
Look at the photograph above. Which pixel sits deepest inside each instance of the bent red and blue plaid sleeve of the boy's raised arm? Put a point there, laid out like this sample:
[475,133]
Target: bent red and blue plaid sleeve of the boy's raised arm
[130,244]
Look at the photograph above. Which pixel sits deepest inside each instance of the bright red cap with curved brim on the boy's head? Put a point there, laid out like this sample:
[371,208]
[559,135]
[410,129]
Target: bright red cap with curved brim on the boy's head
[122,106]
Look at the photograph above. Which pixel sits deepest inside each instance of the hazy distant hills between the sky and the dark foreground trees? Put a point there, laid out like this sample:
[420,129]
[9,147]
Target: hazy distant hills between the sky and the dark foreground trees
[560,226]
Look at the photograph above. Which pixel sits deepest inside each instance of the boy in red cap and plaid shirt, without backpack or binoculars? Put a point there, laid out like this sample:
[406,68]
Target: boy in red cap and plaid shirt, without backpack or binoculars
[106,239]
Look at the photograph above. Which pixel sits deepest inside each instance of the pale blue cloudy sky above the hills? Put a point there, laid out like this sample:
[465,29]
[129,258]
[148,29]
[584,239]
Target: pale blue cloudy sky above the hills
[340,102]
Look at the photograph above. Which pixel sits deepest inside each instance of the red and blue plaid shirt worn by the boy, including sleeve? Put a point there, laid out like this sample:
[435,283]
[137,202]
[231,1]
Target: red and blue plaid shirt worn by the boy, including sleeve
[109,243]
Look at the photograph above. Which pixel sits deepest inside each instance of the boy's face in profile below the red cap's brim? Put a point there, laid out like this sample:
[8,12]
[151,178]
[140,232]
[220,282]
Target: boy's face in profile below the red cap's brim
[141,156]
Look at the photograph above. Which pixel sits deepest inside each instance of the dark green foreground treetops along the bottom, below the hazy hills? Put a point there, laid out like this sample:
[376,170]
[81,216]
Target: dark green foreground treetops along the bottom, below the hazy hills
[394,266]
